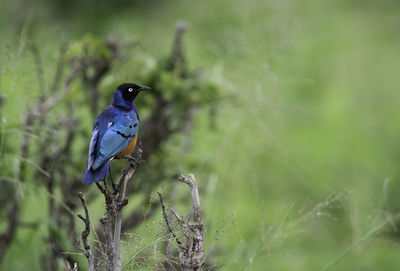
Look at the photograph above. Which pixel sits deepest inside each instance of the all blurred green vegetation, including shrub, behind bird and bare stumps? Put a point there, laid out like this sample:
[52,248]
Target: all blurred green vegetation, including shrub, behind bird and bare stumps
[292,131]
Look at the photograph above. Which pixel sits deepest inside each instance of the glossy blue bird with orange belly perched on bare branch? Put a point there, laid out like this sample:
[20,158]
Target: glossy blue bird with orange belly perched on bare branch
[114,132]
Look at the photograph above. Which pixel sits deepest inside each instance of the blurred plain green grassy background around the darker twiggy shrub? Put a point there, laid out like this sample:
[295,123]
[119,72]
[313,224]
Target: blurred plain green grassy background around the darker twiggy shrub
[301,171]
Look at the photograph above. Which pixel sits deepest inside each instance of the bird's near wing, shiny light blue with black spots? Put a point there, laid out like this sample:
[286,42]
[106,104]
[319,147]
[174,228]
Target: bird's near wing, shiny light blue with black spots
[119,134]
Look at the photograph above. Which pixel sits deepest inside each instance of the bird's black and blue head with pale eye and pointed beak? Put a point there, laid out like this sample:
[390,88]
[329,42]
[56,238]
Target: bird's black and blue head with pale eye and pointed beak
[126,93]
